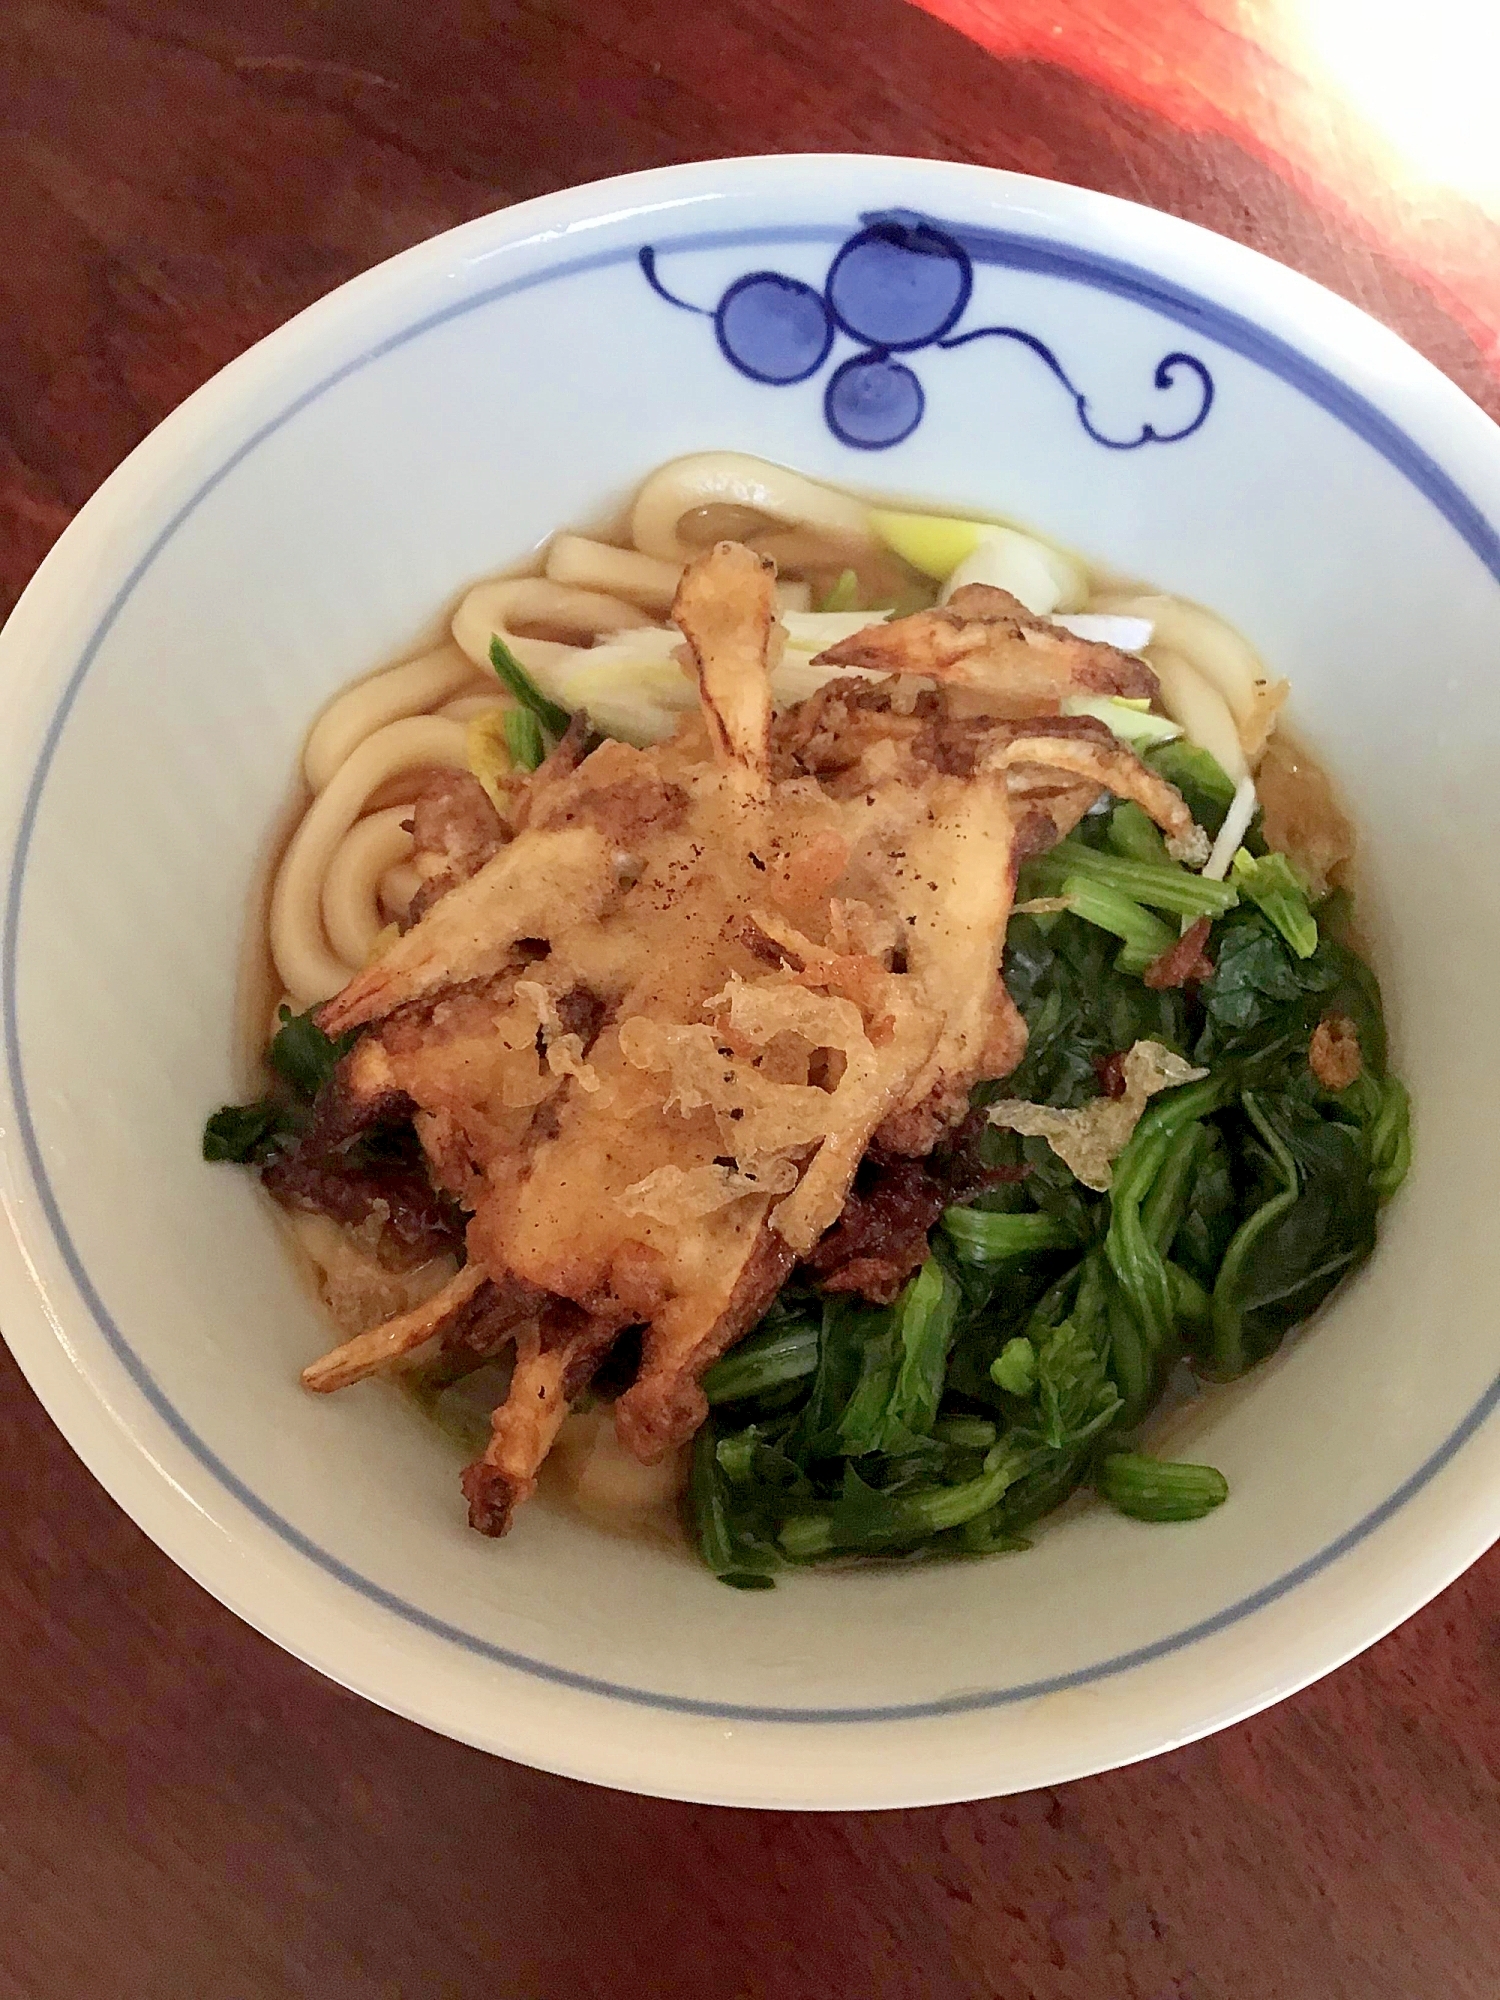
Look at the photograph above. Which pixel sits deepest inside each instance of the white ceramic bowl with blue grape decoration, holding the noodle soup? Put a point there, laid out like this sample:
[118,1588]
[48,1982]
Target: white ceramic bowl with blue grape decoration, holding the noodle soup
[309,515]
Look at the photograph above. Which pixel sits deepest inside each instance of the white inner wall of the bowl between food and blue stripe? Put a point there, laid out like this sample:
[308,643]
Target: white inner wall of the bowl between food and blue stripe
[333,527]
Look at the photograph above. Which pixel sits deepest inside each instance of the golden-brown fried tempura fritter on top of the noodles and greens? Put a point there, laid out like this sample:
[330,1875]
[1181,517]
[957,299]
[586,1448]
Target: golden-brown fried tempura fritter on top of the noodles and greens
[649,1043]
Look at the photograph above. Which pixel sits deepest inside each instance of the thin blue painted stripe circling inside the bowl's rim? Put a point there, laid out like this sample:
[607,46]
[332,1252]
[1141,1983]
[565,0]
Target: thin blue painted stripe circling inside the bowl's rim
[987,247]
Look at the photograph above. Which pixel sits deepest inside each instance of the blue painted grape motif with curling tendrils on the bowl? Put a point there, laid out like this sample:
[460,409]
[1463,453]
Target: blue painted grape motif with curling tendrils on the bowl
[897,287]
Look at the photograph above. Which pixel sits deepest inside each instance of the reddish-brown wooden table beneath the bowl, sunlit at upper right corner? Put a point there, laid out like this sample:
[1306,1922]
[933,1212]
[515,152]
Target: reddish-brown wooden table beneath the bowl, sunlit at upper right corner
[189,1815]
